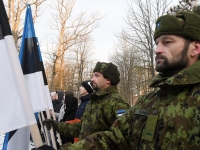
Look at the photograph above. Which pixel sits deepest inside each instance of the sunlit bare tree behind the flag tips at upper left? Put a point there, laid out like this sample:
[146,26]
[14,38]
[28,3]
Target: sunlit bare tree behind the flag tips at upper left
[16,10]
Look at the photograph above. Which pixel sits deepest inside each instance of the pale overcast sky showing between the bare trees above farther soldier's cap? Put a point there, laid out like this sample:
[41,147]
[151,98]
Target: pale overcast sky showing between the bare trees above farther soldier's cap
[103,36]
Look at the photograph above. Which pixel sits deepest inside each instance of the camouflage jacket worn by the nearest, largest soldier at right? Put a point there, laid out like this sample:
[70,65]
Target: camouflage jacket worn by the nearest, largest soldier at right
[166,119]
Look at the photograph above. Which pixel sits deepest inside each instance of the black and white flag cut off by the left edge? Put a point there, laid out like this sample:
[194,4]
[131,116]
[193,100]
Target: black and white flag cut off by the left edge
[15,107]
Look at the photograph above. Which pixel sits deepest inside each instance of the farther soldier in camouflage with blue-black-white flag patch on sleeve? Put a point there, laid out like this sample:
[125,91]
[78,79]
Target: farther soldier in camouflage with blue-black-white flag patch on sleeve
[105,106]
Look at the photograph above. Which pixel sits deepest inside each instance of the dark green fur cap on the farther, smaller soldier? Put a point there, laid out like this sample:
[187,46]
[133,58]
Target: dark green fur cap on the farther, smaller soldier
[109,71]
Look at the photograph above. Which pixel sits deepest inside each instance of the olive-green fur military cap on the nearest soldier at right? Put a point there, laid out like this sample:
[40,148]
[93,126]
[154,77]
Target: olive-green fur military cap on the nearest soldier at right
[185,24]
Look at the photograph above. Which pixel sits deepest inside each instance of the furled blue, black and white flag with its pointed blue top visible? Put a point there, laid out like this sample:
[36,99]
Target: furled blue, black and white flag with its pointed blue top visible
[32,66]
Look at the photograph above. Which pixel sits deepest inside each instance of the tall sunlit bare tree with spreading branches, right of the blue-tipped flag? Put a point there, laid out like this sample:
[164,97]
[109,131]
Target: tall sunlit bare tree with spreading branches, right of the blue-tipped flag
[70,29]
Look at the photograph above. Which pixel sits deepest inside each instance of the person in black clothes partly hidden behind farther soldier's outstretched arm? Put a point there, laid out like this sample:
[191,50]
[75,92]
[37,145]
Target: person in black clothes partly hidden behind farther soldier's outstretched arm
[70,107]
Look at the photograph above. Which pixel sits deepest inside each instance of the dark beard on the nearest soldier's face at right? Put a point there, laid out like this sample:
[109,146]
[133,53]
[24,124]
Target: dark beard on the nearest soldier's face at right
[176,64]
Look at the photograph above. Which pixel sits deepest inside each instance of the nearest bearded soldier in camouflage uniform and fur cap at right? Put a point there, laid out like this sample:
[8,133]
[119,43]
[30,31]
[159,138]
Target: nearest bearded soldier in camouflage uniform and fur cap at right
[169,117]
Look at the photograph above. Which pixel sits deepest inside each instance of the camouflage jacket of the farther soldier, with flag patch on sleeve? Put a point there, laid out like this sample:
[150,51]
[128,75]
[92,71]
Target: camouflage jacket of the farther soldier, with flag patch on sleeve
[99,115]
